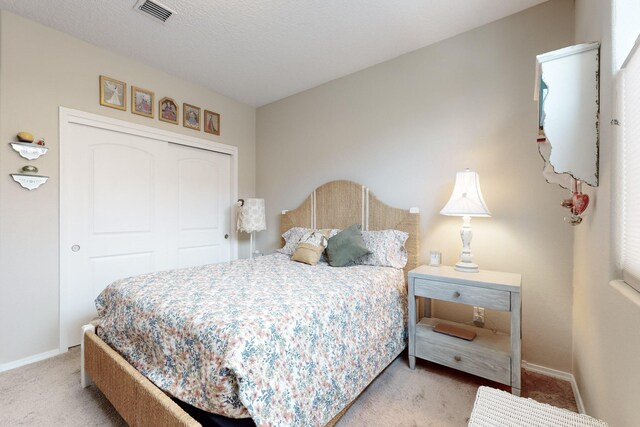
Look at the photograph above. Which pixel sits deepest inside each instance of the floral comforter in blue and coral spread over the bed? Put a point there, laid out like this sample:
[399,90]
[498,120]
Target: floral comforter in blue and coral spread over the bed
[285,343]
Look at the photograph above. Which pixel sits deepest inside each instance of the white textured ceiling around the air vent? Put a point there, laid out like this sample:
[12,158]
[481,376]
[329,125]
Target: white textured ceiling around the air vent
[261,51]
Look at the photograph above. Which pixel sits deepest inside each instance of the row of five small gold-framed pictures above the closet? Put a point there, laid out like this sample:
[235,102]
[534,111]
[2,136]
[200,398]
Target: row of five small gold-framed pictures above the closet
[113,94]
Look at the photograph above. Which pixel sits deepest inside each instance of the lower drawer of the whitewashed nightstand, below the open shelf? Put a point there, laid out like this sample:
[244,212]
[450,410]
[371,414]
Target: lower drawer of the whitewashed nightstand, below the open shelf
[463,355]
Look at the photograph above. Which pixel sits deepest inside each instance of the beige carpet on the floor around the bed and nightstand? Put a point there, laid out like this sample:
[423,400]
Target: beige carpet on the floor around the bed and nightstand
[48,393]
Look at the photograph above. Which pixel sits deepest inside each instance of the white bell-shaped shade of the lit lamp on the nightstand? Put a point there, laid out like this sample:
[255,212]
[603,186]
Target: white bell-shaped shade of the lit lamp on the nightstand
[466,199]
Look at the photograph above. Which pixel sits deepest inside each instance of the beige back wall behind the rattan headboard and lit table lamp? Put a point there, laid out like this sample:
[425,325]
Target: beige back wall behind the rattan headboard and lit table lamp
[406,126]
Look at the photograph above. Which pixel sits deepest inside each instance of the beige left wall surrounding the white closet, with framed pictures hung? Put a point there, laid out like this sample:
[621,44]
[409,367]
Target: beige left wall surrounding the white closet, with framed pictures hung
[42,69]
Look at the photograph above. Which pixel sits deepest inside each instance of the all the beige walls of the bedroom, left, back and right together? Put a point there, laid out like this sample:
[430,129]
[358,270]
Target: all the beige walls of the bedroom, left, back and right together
[403,128]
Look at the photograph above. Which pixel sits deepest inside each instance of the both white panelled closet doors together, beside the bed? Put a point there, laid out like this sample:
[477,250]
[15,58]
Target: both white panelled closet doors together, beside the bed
[133,205]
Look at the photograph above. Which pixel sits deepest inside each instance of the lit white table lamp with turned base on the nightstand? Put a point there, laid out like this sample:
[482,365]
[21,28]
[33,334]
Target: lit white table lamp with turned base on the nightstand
[466,201]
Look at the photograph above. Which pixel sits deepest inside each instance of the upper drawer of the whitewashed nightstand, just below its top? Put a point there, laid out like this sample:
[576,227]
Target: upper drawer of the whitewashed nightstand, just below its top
[482,297]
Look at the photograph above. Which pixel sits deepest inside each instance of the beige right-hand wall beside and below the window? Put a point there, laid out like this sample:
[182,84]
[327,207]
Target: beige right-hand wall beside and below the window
[606,325]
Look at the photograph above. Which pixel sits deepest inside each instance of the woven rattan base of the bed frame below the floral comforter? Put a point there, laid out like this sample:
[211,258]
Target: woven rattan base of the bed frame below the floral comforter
[136,398]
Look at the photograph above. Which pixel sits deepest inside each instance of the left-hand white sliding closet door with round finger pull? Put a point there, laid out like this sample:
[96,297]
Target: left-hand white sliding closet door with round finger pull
[113,199]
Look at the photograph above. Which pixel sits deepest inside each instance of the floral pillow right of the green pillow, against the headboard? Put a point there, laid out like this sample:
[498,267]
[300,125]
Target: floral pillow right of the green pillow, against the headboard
[386,248]
